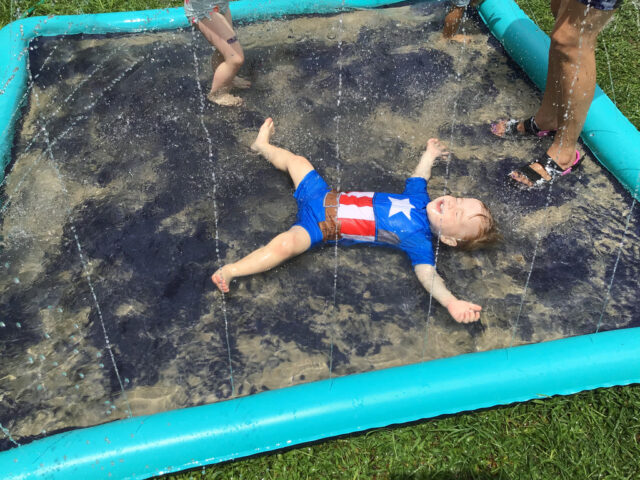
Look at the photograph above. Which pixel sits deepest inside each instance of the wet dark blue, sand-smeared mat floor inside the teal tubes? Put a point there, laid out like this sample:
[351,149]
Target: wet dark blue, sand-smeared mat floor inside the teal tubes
[128,189]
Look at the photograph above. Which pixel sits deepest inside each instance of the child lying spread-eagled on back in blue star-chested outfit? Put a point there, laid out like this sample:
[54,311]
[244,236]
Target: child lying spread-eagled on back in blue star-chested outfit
[403,220]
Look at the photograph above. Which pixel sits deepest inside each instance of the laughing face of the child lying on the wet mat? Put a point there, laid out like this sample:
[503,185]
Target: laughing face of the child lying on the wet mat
[459,218]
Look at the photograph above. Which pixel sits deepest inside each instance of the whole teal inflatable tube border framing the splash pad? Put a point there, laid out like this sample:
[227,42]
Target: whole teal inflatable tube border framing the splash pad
[143,447]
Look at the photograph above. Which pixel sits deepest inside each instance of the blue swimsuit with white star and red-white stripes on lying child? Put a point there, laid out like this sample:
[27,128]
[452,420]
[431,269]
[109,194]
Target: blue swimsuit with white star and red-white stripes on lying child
[395,220]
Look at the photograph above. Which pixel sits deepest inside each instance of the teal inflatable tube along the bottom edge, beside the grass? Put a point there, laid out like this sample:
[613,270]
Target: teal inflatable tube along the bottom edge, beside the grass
[142,447]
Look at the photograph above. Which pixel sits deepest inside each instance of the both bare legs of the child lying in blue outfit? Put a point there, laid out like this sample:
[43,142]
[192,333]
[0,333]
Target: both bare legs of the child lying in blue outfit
[284,246]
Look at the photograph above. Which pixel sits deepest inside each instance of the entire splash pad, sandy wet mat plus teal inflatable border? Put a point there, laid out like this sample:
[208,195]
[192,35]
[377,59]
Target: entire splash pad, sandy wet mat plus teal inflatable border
[124,191]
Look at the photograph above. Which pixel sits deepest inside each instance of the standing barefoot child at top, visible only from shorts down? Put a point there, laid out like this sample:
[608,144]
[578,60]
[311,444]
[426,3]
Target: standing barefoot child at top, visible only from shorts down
[213,19]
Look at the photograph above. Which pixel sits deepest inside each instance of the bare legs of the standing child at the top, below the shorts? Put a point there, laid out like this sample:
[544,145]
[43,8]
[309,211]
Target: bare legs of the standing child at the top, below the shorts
[218,31]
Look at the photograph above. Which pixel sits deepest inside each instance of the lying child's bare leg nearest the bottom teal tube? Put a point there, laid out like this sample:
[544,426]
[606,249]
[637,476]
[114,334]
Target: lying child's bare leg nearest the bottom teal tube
[289,244]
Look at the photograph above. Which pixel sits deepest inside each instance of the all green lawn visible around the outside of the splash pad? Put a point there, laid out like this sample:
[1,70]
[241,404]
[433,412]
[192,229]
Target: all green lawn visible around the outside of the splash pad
[584,436]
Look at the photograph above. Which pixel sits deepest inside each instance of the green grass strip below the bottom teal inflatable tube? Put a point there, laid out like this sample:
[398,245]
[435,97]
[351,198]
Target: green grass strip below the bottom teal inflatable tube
[589,435]
